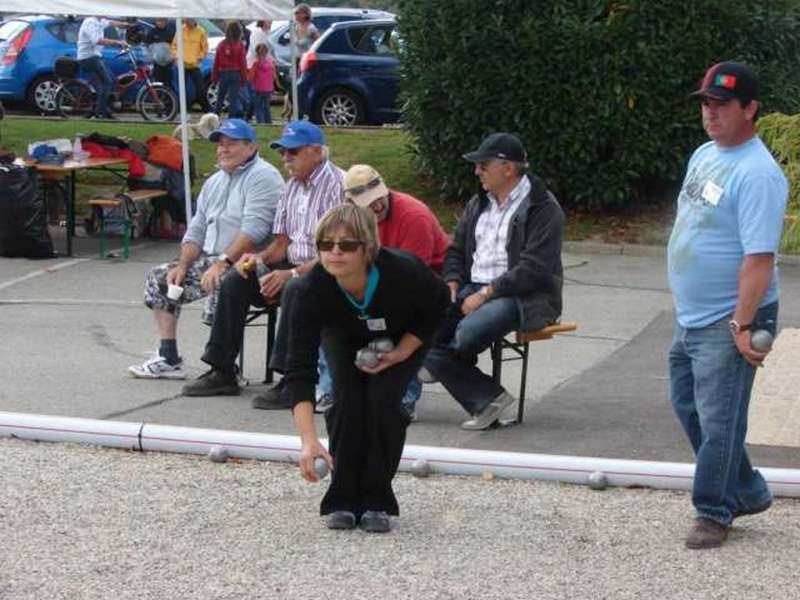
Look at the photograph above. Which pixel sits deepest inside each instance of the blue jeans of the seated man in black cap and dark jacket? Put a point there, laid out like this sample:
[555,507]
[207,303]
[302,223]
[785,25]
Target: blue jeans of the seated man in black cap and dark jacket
[453,359]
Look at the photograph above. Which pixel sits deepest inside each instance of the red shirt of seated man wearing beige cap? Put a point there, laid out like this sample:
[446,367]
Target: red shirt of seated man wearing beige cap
[412,226]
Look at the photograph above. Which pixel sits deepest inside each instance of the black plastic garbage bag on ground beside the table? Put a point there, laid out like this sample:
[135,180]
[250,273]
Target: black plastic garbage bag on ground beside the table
[23,215]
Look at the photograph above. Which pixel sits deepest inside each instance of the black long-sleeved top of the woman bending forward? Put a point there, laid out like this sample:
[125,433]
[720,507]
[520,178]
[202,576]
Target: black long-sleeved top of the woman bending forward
[410,298]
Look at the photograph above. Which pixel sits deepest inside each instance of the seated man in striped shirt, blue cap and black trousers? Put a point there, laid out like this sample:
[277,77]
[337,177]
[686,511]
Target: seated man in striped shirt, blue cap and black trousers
[315,186]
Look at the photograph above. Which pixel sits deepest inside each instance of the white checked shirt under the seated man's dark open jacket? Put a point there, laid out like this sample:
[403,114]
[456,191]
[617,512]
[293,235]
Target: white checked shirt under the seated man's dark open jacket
[490,259]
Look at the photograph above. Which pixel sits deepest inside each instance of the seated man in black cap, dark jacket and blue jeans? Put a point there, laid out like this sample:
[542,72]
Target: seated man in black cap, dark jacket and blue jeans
[504,273]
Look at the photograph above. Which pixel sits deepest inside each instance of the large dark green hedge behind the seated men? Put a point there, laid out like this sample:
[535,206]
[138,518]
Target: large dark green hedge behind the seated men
[597,90]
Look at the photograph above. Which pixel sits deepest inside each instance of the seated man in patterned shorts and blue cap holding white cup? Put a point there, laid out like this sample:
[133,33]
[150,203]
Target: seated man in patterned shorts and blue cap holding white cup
[235,213]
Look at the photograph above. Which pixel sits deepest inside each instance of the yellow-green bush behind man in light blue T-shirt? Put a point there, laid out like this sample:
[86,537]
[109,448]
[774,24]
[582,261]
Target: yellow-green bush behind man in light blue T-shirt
[782,134]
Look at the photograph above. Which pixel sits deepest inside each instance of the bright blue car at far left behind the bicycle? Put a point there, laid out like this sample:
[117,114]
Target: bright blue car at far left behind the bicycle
[29,46]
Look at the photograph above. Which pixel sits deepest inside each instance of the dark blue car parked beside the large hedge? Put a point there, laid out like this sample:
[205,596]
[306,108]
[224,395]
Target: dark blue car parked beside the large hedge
[350,75]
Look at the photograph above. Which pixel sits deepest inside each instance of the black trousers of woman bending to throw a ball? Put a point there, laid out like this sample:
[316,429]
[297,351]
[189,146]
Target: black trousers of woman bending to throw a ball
[366,429]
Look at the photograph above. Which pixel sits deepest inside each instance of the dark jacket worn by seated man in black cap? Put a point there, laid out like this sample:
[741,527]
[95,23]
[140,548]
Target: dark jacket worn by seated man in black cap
[535,274]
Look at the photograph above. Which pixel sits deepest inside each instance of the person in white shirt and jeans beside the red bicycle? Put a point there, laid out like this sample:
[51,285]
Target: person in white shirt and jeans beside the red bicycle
[91,37]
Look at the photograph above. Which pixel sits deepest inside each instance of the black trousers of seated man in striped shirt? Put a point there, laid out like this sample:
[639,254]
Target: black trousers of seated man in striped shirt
[236,295]
